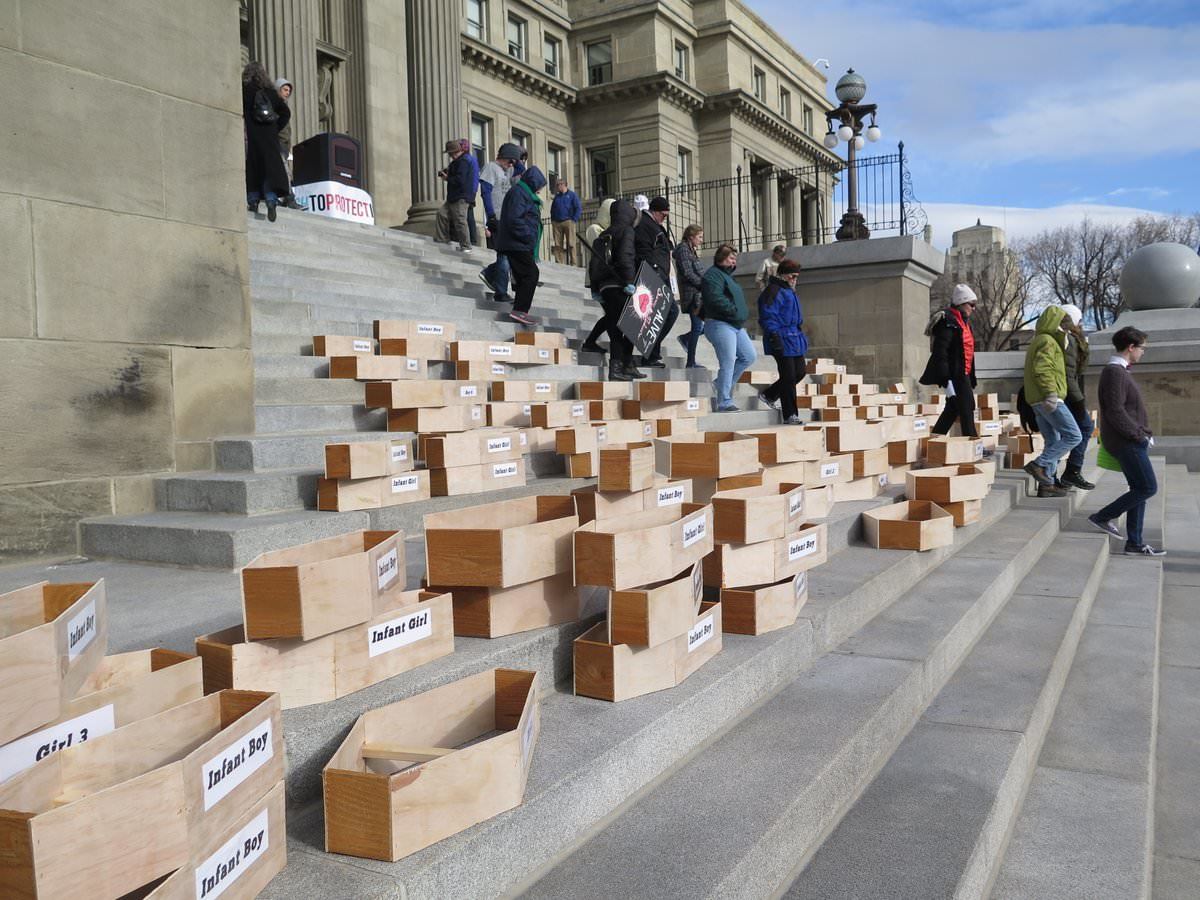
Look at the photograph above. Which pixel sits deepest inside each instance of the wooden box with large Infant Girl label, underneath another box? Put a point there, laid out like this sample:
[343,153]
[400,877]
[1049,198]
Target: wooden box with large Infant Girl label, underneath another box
[416,628]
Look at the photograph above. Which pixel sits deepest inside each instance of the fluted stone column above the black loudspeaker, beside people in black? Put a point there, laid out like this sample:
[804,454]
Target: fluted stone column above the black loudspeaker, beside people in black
[285,40]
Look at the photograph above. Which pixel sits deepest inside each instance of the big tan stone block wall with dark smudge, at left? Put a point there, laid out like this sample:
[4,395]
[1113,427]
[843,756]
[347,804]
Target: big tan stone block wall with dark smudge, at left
[124,322]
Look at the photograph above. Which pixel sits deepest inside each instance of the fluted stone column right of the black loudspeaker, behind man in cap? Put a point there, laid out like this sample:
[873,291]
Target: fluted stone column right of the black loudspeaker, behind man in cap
[435,80]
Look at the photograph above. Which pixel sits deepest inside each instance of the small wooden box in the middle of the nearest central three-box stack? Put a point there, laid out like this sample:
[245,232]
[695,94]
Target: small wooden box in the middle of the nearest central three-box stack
[657,614]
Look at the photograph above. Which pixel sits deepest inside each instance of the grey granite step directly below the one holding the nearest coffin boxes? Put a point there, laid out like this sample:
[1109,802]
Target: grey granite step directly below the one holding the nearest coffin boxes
[739,817]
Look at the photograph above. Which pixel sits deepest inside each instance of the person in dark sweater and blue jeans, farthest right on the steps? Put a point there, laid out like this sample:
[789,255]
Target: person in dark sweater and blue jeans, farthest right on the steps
[1126,435]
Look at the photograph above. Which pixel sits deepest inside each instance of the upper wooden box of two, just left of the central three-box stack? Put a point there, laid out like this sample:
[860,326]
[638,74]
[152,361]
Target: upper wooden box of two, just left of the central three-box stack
[501,544]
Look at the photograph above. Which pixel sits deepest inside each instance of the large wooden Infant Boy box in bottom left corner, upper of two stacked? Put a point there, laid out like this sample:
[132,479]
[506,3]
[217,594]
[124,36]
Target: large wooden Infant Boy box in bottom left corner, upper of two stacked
[128,808]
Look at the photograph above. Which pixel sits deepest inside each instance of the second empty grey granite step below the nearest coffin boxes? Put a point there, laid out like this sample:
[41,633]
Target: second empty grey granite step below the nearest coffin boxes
[934,820]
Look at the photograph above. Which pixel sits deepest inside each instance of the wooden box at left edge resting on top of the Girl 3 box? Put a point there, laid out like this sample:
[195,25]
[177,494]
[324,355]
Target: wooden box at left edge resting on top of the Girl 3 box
[52,638]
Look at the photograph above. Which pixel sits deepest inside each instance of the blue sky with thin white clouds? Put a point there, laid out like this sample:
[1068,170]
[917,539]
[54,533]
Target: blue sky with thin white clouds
[1027,115]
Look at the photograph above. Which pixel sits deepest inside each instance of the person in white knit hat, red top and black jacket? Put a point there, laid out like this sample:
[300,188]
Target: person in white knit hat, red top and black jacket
[952,362]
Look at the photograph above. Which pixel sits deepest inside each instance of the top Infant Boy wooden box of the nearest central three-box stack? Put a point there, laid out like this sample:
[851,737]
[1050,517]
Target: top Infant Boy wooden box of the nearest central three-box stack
[643,549]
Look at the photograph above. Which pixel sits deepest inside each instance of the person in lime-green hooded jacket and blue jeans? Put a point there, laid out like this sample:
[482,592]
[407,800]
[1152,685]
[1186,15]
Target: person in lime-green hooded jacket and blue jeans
[1046,391]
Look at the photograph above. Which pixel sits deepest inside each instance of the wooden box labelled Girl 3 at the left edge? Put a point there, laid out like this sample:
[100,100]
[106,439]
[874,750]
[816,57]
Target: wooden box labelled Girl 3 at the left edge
[122,691]
